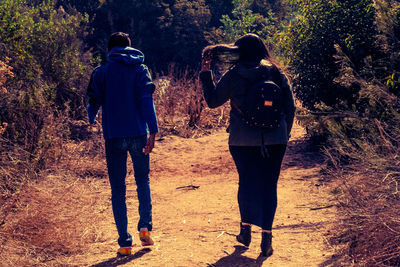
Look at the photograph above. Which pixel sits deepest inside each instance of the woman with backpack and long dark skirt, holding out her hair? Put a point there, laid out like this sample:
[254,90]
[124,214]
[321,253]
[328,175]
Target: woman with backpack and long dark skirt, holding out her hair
[261,118]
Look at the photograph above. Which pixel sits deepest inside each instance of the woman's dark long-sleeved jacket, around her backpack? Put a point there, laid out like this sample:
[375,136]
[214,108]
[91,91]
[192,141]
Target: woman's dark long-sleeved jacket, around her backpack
[233,86]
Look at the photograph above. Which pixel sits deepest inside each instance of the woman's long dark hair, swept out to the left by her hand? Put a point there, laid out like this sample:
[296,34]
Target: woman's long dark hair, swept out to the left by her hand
[249,47]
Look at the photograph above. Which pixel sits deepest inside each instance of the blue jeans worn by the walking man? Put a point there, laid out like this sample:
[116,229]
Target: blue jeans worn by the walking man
[116,155]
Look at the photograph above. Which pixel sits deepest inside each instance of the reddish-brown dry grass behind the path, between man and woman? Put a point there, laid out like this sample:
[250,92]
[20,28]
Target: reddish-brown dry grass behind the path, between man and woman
[181,109]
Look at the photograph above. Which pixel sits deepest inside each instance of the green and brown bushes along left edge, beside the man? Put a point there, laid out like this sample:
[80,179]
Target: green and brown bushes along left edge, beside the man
[44,48]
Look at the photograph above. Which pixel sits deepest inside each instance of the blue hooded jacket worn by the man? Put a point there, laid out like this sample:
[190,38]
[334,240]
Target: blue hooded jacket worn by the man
[123,88]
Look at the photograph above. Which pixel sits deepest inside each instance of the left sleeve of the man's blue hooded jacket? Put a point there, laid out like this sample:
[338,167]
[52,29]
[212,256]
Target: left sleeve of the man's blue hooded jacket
[95,93]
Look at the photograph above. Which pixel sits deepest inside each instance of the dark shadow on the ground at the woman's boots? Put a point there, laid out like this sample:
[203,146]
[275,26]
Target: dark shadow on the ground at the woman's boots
[237,259]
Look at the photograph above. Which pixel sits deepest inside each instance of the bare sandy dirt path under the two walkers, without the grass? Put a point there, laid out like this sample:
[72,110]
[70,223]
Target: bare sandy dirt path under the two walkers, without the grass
[197,227]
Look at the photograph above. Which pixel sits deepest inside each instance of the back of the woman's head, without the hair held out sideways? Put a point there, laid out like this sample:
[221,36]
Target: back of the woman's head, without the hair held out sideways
[252,48]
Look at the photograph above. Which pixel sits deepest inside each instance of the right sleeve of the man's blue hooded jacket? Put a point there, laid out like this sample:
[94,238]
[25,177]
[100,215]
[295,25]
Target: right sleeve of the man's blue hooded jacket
[146,89]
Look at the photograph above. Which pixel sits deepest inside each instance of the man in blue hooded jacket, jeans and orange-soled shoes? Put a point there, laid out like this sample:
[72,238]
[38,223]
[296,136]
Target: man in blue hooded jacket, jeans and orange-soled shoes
[123,89]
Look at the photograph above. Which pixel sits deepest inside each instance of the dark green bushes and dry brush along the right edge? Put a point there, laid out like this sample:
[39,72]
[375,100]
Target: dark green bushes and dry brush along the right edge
[347,76]
